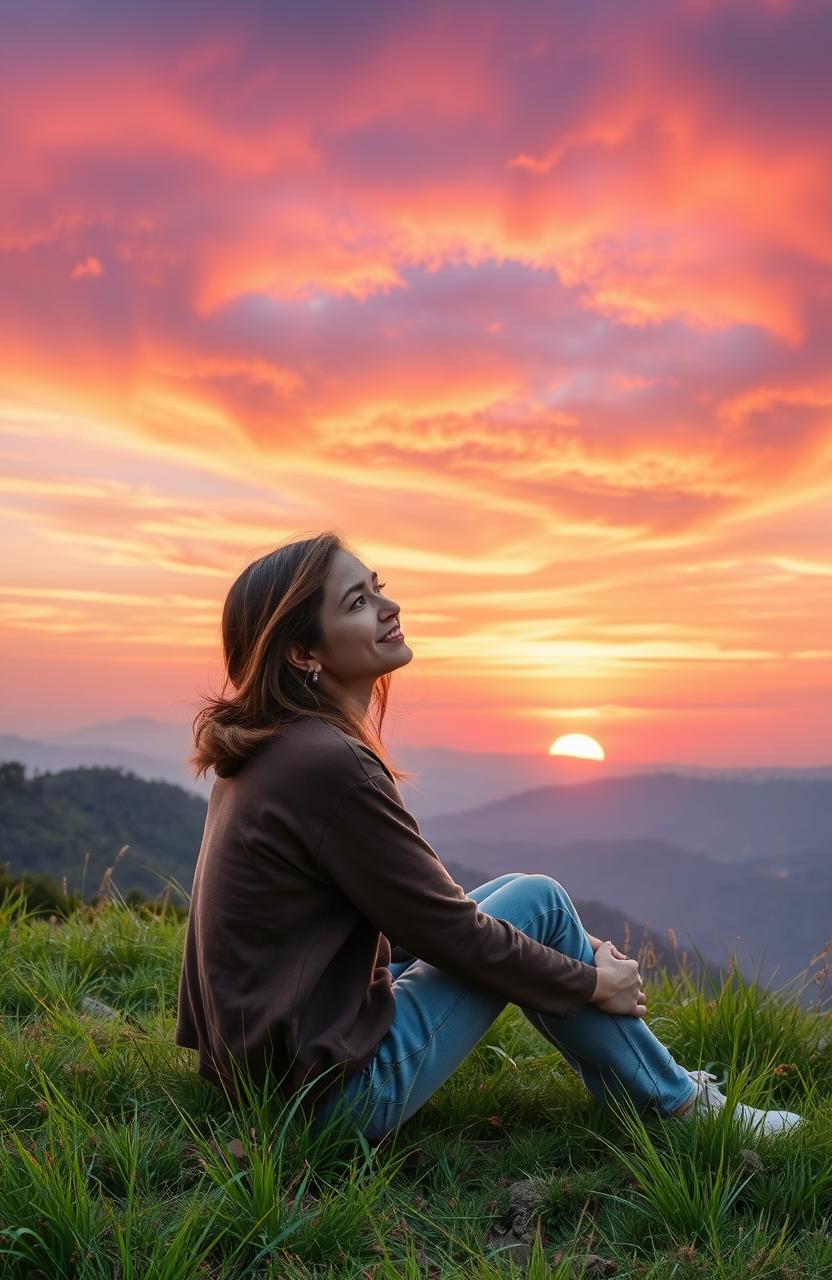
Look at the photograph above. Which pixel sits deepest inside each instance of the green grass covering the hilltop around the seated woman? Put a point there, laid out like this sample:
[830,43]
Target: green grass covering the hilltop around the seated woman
[118,1162]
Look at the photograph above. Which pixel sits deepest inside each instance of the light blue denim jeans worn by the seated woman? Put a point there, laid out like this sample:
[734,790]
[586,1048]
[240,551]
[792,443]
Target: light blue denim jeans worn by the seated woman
[440,1020]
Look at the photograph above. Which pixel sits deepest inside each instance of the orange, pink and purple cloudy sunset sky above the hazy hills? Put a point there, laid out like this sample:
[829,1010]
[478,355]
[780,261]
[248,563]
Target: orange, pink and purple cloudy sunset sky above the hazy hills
[532,303]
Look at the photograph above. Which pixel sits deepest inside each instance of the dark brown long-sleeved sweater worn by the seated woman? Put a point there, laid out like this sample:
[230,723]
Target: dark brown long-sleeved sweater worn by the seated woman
[309,865]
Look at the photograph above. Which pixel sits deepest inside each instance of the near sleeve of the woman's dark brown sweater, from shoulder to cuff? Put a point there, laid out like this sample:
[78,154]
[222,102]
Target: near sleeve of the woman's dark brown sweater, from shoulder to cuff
[377,856]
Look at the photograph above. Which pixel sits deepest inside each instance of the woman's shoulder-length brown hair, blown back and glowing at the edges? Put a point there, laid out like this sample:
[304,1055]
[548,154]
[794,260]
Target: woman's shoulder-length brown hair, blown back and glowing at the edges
[277,600]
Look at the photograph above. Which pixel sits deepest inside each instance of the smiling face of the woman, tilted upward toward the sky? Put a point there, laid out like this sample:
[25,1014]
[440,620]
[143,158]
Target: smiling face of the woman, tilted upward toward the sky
[356,616]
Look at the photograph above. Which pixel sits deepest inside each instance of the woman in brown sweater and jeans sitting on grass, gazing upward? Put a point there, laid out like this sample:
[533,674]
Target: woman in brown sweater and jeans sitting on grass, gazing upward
[312,871]
